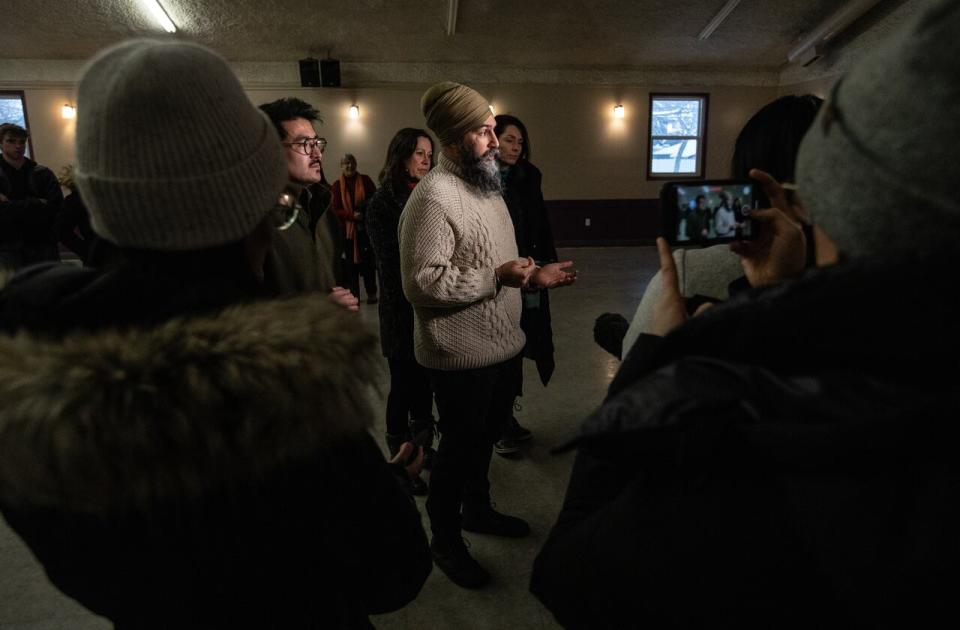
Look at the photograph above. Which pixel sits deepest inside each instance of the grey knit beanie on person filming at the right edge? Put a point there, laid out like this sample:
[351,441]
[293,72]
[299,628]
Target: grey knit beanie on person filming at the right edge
[878,170]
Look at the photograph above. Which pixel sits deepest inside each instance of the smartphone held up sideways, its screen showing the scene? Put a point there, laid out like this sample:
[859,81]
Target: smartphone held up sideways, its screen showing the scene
[708,212]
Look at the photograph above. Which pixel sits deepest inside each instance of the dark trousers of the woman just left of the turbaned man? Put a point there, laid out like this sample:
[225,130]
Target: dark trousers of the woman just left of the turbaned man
[410,401]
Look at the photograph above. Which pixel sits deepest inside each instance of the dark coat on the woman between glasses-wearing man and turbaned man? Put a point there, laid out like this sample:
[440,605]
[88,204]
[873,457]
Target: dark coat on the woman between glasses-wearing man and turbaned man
[396,314]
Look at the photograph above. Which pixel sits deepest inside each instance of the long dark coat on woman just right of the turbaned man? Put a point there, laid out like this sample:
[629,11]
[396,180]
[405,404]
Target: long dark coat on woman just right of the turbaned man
[531,224]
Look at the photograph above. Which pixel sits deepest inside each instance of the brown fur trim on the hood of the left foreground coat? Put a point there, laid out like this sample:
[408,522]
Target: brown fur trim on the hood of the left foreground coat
[121,420]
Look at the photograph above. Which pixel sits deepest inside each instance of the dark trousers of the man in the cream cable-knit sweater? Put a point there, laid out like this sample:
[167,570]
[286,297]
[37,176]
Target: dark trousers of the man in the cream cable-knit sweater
[473,407]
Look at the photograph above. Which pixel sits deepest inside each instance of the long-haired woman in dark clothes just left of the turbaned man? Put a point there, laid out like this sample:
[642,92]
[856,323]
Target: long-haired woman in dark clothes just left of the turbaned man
[410,401]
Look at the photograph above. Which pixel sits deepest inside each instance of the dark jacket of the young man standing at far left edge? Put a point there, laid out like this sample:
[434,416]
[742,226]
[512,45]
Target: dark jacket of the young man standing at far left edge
[27,234]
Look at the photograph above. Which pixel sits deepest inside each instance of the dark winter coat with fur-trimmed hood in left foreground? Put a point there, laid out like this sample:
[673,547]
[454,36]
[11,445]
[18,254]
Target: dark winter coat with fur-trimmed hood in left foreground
[210,471]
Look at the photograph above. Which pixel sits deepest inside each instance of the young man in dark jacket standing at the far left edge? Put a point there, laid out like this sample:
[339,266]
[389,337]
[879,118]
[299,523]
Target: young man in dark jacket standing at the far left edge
[30,199]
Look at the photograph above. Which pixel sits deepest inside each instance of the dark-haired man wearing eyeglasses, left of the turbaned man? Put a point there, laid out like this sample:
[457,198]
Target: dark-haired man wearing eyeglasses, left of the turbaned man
[301,258]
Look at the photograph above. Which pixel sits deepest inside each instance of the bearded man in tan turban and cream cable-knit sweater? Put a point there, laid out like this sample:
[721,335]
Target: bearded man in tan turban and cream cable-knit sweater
[458,258]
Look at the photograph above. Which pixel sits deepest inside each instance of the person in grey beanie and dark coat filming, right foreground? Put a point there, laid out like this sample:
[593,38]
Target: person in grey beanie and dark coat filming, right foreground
[787,458]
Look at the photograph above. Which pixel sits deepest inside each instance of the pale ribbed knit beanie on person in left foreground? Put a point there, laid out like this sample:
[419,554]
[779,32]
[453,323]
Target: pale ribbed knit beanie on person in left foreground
[171,154]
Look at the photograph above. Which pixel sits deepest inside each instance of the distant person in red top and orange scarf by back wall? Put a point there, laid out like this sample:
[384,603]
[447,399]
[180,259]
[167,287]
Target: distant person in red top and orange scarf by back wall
[350,194]
